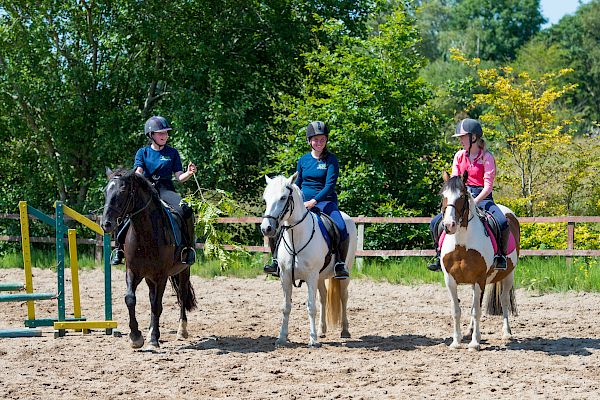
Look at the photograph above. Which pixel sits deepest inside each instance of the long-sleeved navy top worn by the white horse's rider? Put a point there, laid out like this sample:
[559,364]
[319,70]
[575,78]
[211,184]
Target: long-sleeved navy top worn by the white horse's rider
[317,178]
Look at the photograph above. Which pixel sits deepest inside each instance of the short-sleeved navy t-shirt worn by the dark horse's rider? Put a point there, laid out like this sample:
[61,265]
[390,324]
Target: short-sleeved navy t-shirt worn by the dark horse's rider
[163,163]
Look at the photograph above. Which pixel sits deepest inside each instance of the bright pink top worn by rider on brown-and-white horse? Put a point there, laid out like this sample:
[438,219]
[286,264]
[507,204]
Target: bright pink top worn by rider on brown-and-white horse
[482,170]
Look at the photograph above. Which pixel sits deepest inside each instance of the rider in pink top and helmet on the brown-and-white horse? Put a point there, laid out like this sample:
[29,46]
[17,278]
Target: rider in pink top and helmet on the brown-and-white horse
[481,168]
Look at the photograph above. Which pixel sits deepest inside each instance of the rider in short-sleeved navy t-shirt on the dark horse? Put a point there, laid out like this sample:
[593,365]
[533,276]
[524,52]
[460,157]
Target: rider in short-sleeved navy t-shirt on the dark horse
[158,163]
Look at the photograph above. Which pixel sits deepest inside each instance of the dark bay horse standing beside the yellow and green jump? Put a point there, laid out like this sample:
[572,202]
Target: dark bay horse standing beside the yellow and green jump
[150,251]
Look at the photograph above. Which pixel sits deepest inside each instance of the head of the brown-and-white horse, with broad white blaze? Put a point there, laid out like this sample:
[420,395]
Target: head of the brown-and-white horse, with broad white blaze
[455,202]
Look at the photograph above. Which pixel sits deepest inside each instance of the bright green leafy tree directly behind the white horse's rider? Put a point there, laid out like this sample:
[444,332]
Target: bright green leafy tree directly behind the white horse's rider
[369,92]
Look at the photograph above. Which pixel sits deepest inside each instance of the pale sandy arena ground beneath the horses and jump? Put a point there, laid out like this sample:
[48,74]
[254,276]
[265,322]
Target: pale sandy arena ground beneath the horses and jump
[399,347]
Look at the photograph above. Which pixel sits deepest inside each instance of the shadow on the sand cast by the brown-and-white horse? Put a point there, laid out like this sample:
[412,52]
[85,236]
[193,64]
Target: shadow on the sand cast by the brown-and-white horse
[564,346]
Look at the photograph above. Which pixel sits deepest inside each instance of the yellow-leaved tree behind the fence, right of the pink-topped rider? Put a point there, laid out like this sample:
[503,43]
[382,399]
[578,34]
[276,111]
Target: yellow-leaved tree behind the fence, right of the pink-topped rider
[519,114]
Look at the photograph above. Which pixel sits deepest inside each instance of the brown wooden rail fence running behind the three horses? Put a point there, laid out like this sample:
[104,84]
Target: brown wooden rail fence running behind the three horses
[570,251]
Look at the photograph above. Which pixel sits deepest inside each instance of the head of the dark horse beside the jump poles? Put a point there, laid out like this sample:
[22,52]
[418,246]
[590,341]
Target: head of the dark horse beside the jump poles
[118,194]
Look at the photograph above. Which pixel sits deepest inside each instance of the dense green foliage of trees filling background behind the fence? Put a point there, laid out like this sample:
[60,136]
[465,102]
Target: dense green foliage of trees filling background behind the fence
[241,79]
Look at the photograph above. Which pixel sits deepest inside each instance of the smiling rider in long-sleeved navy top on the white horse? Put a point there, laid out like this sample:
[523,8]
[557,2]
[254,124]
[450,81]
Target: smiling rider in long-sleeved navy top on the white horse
[318,171]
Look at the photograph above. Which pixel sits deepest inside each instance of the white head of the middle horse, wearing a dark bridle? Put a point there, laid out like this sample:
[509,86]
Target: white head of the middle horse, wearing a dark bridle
[279,199]
